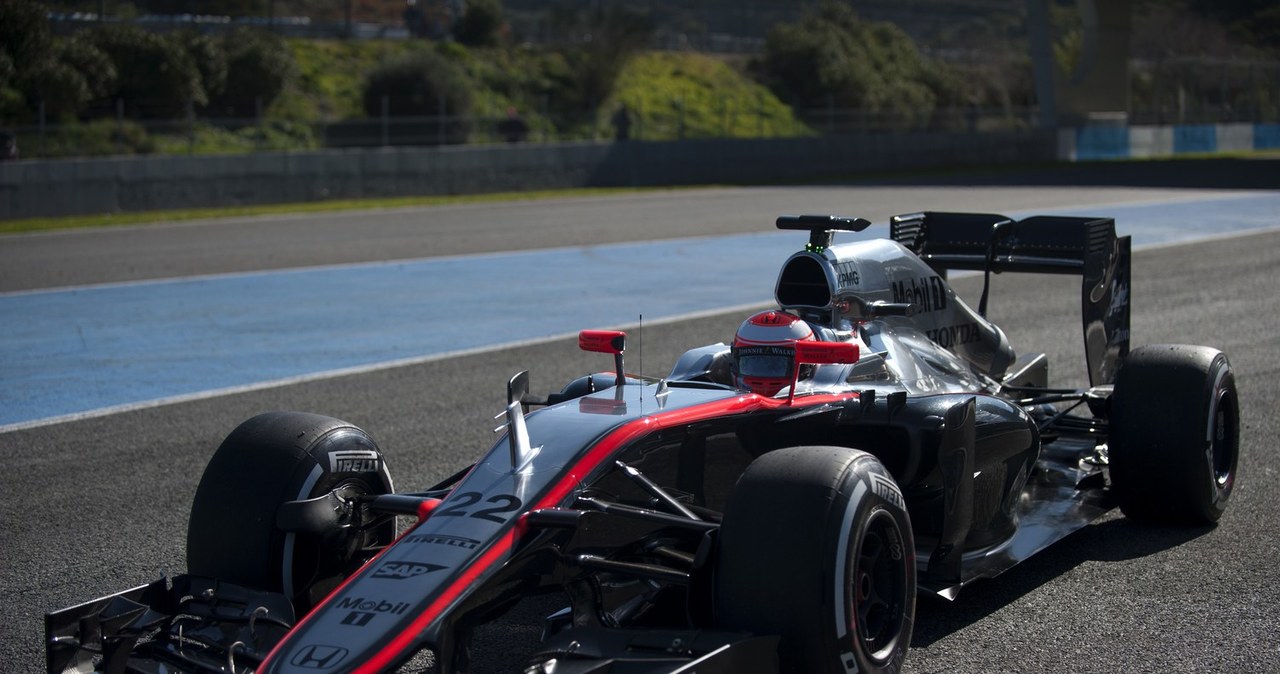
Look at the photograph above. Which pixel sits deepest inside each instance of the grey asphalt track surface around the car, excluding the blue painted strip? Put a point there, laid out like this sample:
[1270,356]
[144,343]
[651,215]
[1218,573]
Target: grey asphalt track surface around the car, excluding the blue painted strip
[100,505]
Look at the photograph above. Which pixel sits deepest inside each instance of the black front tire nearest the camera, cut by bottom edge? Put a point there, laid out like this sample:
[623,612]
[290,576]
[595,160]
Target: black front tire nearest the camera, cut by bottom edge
[816,547]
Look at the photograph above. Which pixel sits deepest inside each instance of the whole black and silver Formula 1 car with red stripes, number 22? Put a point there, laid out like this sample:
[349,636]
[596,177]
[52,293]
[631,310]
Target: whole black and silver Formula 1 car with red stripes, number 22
[775,505]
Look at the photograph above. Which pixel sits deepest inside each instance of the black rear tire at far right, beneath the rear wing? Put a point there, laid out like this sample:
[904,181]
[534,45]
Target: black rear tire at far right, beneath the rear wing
[1176,434]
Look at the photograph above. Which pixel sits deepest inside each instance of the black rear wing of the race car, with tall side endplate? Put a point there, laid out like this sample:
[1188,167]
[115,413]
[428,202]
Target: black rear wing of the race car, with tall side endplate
[1040,245]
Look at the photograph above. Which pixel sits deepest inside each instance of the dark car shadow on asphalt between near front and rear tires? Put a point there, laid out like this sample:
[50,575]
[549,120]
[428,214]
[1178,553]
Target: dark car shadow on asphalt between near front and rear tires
[1112,540]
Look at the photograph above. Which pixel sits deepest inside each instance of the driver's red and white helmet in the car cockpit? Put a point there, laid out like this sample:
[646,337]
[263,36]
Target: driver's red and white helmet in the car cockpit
[765,351]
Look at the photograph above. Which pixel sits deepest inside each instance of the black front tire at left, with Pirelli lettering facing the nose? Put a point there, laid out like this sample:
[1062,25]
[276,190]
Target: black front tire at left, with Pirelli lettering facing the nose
[268,461]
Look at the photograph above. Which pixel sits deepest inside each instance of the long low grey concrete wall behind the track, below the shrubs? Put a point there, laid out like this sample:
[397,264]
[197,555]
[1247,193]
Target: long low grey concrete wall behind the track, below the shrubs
[116,185]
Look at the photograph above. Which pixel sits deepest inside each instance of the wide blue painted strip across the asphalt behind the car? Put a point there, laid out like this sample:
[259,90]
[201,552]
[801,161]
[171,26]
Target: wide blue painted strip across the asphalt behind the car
[150,343]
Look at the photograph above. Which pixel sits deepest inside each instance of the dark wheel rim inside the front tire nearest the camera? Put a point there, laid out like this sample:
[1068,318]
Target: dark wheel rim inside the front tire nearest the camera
[880,588]
